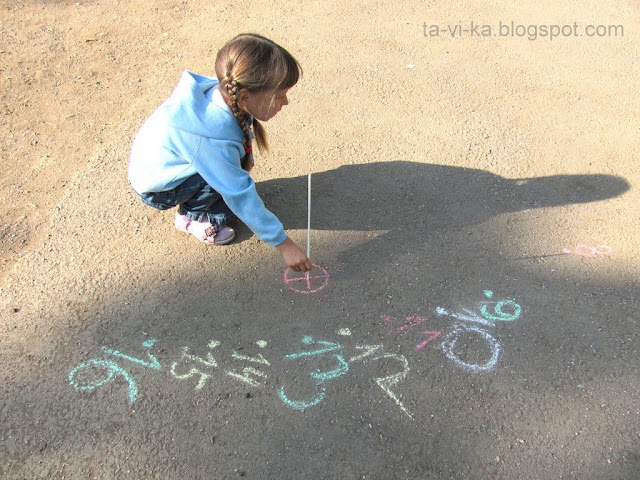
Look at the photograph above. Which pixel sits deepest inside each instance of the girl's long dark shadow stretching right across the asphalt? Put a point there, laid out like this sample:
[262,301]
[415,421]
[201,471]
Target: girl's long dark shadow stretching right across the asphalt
[415,197]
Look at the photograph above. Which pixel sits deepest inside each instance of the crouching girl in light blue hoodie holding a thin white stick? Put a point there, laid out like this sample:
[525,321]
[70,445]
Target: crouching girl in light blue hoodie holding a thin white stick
[195,150]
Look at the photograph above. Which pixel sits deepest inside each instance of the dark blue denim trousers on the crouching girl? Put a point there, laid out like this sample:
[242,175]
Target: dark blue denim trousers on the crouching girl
[194,198]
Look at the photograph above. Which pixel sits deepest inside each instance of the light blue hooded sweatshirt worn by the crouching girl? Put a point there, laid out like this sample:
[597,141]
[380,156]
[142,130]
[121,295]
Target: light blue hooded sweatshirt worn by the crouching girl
[192,132]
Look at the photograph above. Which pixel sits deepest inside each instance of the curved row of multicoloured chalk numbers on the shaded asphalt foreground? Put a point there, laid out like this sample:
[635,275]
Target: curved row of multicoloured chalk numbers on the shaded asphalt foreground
[92,374]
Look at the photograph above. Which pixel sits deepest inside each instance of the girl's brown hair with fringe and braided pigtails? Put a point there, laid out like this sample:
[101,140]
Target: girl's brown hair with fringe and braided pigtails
[257,64]
